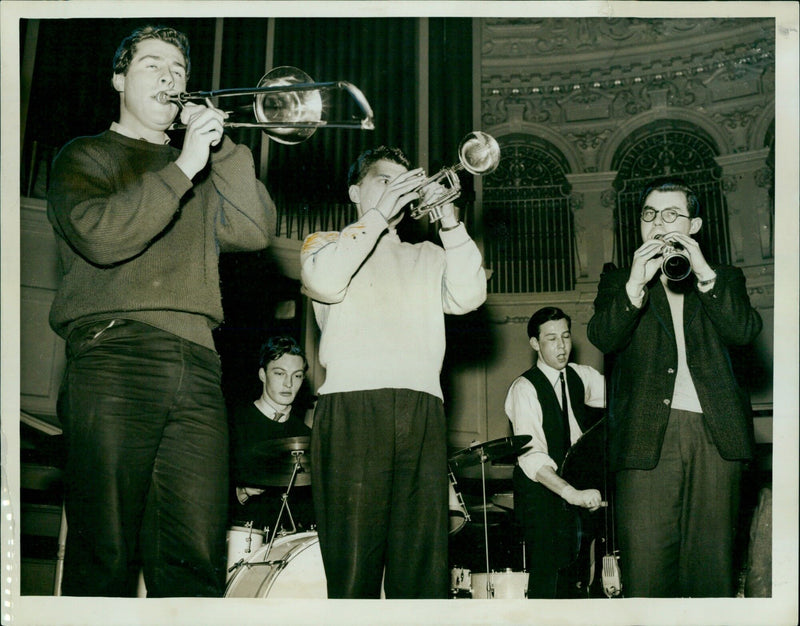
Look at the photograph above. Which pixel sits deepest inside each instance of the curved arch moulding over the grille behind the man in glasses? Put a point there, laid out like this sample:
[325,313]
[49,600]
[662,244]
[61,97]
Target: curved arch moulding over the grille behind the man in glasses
[610,148]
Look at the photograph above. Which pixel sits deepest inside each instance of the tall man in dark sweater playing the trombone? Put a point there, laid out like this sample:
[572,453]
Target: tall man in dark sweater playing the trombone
[139,226]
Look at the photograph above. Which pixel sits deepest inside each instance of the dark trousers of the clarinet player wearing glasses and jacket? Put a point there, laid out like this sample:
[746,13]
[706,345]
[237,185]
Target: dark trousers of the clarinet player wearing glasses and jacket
[676,523]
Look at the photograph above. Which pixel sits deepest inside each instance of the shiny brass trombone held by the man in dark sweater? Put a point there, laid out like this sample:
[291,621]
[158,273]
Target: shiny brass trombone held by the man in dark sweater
[287,105]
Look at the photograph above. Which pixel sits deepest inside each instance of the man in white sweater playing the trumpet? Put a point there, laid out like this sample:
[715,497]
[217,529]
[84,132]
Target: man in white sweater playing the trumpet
[379,449]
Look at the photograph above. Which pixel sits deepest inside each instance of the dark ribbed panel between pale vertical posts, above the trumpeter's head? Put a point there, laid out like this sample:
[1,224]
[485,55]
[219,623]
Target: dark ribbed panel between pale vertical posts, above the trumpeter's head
[377,56]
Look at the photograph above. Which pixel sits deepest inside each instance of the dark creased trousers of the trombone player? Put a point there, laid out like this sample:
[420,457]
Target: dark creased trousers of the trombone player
[147,463]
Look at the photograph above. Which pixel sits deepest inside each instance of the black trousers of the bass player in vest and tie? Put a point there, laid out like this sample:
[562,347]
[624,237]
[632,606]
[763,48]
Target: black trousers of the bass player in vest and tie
[550,529]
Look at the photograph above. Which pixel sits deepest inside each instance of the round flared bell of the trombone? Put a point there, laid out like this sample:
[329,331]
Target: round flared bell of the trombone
[286,106]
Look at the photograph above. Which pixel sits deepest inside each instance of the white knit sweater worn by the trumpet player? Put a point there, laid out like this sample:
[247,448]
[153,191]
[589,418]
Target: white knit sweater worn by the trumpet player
[380,303]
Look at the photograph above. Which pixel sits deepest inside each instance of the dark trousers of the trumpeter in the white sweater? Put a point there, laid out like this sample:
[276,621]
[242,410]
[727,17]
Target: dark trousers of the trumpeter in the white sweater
[379,482]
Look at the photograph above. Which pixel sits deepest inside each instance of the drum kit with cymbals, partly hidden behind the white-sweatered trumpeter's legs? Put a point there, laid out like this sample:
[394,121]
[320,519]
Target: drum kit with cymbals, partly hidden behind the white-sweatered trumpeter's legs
[285,563]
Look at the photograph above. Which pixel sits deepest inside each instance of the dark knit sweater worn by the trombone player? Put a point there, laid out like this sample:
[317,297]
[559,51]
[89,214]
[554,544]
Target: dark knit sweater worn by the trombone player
[138,240]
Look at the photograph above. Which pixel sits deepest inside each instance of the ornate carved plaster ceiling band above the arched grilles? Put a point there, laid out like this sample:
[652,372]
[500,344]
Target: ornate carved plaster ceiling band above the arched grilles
[585,78]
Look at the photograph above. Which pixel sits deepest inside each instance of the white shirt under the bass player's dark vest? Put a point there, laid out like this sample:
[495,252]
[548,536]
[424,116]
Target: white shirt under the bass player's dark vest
[525,412]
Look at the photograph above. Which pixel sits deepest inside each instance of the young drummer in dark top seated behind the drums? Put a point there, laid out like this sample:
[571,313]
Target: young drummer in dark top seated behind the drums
[278,413]
